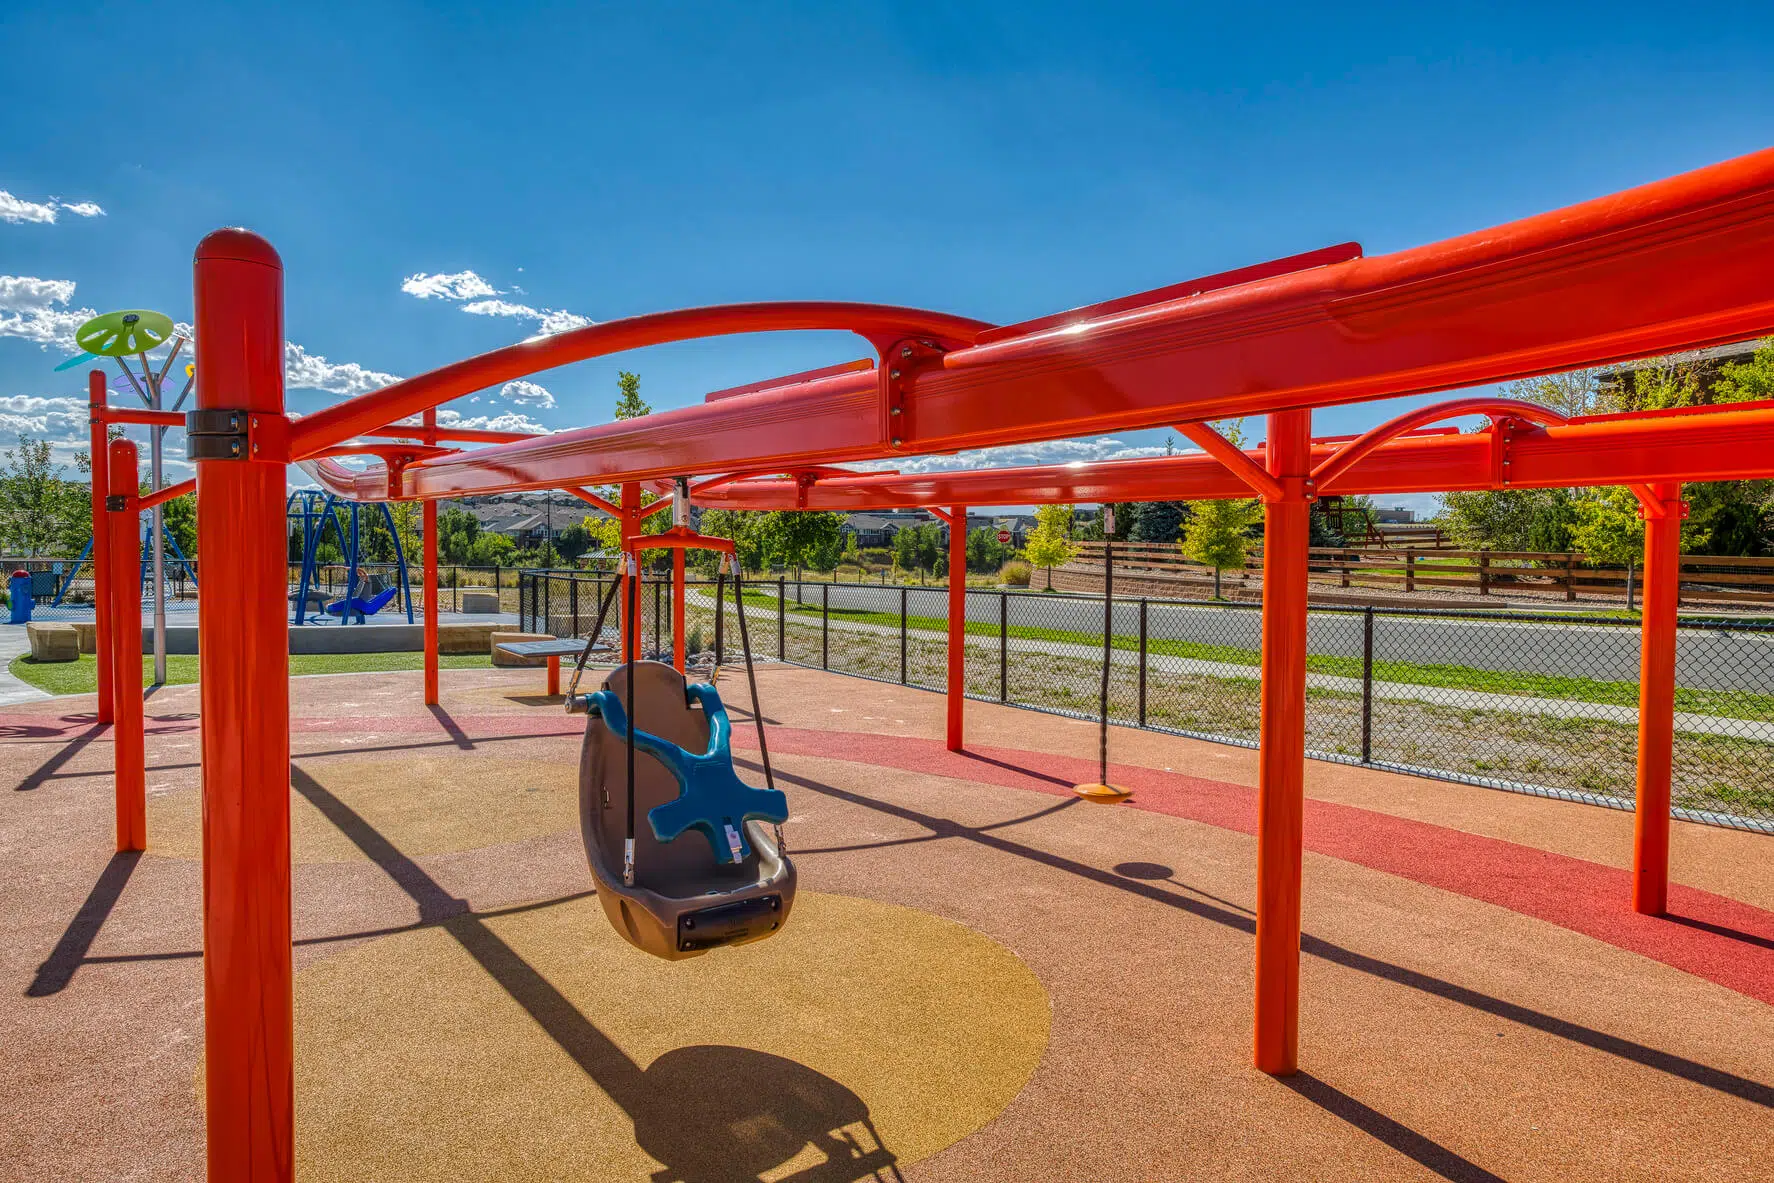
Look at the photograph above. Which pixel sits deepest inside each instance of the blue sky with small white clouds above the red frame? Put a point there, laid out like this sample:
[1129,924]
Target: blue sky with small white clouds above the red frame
[595,162]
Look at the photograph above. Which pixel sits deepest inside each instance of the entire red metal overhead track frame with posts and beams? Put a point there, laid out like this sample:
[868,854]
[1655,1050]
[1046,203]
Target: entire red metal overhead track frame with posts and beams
[1676,265]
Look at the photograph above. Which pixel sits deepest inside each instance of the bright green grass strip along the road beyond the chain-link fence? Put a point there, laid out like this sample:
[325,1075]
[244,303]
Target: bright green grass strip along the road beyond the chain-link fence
[1718,703]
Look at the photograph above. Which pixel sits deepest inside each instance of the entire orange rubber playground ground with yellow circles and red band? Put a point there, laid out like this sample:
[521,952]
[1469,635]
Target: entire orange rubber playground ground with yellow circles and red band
[984,976]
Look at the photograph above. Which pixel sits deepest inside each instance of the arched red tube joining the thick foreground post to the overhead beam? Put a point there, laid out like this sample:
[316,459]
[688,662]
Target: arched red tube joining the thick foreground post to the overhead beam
[877,324]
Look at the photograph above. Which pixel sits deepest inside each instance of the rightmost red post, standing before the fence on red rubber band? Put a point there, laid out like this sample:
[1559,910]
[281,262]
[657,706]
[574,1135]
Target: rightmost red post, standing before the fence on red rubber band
[1663,574]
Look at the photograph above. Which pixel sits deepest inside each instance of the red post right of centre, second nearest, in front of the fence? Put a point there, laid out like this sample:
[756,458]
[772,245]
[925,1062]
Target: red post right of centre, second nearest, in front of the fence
[1282,748]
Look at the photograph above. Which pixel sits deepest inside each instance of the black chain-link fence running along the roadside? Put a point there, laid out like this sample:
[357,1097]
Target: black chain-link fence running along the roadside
[1532,703]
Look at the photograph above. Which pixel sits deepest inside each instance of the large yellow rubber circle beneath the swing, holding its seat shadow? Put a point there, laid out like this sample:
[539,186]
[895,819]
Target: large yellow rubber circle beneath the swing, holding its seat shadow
[863,1038]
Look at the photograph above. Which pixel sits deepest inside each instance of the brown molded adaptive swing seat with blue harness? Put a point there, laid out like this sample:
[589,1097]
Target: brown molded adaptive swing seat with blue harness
[728,882]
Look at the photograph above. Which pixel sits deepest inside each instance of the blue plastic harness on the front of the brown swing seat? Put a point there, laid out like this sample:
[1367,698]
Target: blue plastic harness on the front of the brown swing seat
[712,799]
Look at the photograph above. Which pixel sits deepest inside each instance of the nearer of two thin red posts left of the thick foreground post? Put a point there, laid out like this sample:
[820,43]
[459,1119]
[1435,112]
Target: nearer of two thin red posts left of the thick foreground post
[125,655]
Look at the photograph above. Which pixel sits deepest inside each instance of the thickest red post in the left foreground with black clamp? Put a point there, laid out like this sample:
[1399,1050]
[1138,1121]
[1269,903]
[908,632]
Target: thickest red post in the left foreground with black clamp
[244,677]
